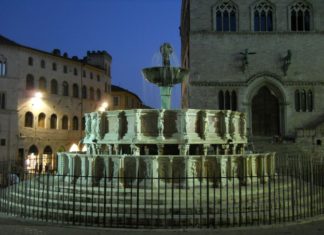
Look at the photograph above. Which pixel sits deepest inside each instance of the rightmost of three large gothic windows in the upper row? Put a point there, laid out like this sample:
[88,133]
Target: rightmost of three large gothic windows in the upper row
[300,16]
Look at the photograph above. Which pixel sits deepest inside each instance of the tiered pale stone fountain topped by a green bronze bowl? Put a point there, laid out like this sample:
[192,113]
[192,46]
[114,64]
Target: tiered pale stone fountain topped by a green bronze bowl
[162,143]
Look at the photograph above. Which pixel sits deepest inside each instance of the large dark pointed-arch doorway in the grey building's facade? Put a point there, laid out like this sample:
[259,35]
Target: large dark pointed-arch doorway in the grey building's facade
[265,113]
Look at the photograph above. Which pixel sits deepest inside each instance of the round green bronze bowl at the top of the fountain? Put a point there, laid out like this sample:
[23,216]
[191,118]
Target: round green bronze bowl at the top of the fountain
[165,76]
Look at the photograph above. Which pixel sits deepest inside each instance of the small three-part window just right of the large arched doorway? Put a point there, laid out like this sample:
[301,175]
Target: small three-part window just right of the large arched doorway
[304,101]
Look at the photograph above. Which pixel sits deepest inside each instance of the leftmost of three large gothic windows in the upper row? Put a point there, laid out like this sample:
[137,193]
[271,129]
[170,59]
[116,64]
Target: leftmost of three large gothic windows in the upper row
[225,17]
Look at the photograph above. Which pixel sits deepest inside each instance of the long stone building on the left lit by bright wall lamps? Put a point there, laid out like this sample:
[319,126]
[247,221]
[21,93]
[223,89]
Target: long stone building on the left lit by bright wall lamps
[43,100]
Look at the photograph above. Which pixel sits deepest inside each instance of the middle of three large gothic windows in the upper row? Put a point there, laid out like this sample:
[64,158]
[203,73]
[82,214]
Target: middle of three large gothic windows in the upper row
[263,16]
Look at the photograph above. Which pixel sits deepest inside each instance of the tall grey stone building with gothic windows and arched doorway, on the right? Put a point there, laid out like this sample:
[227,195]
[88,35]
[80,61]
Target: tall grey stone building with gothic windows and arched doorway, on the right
[261,57]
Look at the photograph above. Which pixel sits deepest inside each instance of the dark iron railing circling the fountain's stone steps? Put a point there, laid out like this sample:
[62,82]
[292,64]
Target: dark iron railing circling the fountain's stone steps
[295,192]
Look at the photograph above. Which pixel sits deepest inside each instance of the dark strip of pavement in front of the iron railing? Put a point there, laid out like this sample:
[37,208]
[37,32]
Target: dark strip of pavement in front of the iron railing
[16,226]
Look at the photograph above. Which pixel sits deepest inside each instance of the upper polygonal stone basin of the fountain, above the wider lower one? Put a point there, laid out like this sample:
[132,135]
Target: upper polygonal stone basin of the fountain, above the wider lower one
[187,130]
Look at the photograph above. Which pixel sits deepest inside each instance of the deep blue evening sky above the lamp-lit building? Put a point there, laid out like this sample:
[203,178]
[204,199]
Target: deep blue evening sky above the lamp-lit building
[130,30]
